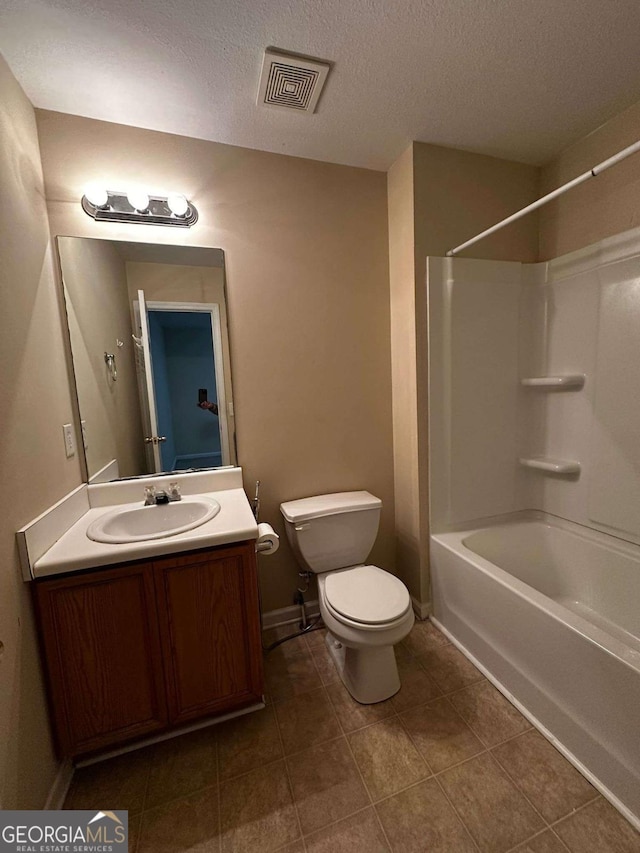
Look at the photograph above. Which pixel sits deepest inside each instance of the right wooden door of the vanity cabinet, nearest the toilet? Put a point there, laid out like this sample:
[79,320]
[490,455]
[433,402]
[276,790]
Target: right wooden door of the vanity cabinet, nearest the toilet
[210,629]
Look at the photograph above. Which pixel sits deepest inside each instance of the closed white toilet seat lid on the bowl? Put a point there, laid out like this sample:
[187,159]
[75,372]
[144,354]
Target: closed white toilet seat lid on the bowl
[366,597]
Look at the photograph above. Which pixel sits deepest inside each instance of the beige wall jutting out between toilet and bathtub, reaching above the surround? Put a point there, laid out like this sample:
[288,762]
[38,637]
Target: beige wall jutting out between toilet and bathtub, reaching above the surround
[451,195]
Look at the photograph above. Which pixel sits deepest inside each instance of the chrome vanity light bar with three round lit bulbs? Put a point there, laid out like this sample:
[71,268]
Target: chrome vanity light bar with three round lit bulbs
[137,206]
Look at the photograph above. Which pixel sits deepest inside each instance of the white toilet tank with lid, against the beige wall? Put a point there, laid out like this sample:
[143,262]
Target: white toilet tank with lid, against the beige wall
[332,531]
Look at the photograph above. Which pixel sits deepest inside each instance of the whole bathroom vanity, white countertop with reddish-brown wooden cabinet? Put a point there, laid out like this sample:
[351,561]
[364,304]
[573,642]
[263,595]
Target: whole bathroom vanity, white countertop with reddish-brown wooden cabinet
[144,637]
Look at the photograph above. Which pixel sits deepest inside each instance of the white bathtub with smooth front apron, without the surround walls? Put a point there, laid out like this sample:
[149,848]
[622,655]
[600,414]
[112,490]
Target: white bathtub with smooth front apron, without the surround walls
[551,610]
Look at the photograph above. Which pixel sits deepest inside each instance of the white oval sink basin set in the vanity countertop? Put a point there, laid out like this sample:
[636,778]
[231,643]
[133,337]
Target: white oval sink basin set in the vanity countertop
[153,522]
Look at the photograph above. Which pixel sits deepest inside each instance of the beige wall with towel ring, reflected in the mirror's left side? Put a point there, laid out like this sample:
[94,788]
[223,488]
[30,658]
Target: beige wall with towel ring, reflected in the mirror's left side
[98,312]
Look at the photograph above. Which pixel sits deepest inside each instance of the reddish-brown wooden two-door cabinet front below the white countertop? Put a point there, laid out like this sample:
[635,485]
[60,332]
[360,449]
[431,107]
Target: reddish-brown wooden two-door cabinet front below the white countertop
[143,647]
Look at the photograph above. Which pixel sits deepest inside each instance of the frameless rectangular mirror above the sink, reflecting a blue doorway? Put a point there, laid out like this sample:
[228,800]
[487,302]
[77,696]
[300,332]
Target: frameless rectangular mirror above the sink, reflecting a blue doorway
[149,342]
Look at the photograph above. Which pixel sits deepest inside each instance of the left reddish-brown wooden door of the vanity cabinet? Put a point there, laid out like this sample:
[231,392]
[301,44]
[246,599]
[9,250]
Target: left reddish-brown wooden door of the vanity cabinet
[102,650]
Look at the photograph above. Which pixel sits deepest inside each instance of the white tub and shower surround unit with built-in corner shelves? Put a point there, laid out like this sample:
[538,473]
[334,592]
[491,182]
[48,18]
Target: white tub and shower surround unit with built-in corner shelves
[536,570]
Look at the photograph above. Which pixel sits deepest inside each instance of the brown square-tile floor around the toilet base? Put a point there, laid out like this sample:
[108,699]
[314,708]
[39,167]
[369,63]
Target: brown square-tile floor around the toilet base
[445,765]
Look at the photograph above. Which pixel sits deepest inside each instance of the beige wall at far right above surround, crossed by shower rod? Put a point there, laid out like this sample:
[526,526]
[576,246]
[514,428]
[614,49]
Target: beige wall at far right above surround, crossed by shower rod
[602,206]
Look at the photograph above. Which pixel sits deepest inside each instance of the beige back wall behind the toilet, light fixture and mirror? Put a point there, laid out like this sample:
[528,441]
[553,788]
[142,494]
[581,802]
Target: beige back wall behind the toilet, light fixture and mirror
[307,271]
